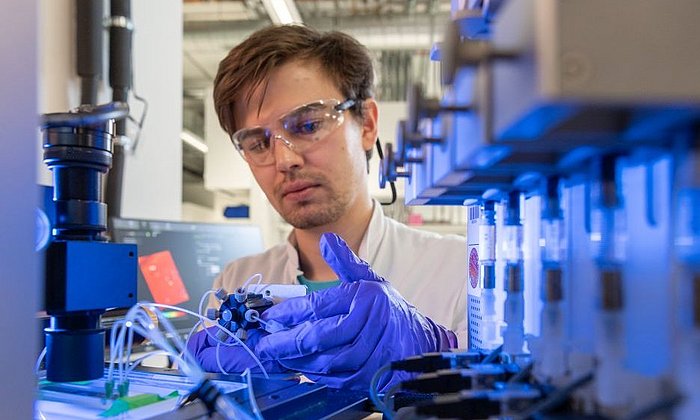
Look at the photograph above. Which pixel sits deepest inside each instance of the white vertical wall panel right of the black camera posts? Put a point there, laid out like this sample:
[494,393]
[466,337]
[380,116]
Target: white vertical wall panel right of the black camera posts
[153,175]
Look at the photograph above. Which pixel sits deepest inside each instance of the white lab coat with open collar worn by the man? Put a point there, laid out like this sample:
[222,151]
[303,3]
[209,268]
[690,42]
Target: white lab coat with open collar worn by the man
[429,270]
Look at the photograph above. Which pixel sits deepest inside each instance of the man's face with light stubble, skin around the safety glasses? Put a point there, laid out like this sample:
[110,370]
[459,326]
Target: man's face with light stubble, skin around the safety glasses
[321,184]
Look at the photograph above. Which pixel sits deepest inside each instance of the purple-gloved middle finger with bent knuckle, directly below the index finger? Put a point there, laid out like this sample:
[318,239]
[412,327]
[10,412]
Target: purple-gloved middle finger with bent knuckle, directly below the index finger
[316,336]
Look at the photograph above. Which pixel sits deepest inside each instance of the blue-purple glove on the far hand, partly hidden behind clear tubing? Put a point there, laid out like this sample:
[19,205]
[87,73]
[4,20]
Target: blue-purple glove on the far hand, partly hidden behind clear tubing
[234,359]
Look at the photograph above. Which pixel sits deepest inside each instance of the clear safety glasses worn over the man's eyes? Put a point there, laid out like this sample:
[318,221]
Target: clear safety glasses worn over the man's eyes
[298,129]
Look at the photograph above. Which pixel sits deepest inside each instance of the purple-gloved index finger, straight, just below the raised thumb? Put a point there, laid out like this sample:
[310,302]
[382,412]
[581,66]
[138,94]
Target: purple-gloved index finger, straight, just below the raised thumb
[317,305]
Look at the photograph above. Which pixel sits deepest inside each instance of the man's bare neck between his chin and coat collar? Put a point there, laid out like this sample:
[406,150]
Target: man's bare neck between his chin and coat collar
[351,228]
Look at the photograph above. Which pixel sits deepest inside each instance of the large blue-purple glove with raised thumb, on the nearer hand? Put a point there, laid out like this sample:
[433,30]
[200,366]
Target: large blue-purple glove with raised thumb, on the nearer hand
[341,336]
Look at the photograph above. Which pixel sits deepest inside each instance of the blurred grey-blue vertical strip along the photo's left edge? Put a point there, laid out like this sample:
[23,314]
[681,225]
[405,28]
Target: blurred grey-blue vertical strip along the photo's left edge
[18,195]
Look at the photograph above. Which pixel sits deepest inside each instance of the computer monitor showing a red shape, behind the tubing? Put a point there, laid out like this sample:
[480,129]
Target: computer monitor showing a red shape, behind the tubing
[179,261]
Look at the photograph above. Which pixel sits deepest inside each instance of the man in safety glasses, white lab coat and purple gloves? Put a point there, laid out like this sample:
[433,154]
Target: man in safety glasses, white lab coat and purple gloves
[299,108]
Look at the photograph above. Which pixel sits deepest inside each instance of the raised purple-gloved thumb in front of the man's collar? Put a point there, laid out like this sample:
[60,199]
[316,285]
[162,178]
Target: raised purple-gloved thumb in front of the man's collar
[348,266]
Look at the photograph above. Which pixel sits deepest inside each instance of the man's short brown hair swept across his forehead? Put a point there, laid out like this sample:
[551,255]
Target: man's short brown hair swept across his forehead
[249,64]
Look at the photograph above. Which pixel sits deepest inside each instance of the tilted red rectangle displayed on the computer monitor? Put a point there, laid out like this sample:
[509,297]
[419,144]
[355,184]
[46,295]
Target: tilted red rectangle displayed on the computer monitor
[163,279]
